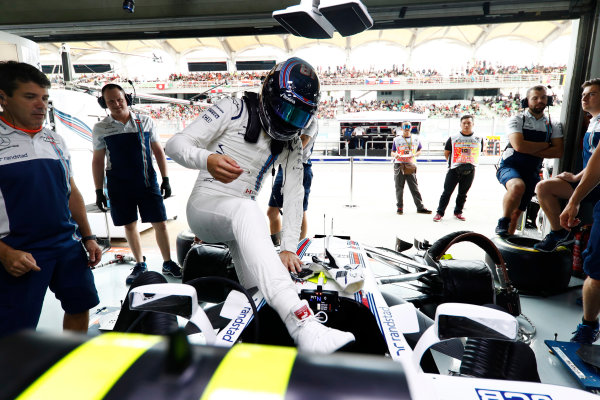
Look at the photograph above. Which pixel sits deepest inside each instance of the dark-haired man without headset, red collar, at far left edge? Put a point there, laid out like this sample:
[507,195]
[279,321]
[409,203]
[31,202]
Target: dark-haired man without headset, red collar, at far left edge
[44,232]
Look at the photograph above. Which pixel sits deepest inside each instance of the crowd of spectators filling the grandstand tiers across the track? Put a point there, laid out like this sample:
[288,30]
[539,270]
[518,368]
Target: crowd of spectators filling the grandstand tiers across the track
[330,108]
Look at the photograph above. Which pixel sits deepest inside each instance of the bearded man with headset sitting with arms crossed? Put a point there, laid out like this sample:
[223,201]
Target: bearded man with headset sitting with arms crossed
[532,137]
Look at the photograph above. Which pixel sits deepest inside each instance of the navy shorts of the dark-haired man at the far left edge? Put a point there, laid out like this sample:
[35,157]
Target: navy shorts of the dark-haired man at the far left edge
[66,274]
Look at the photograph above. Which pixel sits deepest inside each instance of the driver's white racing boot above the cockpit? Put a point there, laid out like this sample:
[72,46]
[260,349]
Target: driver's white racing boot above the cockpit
[310,335]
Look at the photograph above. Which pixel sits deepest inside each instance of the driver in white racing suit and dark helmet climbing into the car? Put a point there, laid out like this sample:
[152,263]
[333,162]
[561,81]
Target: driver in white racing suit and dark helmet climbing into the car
[233,145]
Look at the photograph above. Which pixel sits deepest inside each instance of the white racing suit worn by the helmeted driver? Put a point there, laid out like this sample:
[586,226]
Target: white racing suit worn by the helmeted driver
[219,212]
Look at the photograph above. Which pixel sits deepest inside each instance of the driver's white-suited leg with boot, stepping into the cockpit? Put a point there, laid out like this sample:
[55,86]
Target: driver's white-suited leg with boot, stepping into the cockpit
[240,223]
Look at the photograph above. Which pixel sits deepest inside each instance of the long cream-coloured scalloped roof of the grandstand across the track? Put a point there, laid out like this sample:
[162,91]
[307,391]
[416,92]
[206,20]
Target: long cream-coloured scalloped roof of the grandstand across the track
[473,36]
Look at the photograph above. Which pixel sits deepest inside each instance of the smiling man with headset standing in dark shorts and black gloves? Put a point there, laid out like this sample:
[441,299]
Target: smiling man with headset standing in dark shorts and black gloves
[127,141]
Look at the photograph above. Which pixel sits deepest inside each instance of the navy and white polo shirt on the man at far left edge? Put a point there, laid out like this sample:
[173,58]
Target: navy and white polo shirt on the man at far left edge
[35,188]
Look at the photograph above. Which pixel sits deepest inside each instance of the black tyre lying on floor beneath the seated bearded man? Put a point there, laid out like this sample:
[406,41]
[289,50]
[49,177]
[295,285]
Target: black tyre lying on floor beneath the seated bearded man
[532,271]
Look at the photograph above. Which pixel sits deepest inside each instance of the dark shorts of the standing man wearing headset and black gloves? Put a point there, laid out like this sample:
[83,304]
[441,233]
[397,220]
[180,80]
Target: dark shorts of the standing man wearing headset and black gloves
[125,202]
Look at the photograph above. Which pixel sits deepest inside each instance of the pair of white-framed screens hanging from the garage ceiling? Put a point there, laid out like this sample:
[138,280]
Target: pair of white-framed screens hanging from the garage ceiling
[318,19]
